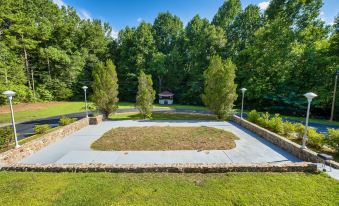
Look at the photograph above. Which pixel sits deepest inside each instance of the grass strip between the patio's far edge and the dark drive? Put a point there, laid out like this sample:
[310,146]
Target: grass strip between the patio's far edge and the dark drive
[162,116]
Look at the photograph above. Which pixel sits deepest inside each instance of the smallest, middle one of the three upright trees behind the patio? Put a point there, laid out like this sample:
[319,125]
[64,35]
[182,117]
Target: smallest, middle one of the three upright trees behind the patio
[145,96]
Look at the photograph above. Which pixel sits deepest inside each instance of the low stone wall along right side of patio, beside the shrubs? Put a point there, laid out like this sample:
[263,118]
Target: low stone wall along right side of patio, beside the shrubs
[282,142]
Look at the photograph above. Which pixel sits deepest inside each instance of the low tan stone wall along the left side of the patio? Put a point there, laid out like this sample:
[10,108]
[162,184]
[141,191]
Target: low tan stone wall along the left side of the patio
[14,155]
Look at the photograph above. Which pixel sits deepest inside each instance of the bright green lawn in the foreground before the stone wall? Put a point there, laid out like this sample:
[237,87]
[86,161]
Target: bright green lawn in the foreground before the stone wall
[167,189]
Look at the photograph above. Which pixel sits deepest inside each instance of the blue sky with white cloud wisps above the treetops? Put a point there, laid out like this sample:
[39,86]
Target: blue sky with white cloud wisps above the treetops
[121,13]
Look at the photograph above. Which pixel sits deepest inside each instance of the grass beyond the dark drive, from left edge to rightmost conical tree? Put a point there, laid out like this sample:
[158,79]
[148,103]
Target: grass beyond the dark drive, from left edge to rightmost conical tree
[72,107]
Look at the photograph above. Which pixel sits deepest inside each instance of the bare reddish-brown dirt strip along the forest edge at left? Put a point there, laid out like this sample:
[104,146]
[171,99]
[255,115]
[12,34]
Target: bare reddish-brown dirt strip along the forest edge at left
[29,106]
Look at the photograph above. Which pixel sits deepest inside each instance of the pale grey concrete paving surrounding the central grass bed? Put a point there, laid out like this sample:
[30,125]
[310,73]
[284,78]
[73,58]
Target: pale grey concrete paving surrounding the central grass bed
[76,148]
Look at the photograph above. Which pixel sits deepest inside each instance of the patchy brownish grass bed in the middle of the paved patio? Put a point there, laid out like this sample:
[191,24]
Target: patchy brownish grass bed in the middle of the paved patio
[165,138]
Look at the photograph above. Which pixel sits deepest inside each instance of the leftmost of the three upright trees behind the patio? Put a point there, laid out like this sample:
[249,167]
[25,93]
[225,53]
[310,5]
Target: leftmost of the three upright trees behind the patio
[105,87]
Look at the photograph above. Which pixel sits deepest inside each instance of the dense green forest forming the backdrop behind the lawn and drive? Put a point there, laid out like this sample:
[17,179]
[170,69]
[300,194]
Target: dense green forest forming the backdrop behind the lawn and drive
[47,53]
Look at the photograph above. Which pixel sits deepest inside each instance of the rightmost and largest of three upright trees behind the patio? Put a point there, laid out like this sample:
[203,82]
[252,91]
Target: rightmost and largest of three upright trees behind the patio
[220,89]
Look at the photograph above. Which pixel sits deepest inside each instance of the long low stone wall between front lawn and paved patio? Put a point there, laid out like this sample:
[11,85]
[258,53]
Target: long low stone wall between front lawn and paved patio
[169,168]
